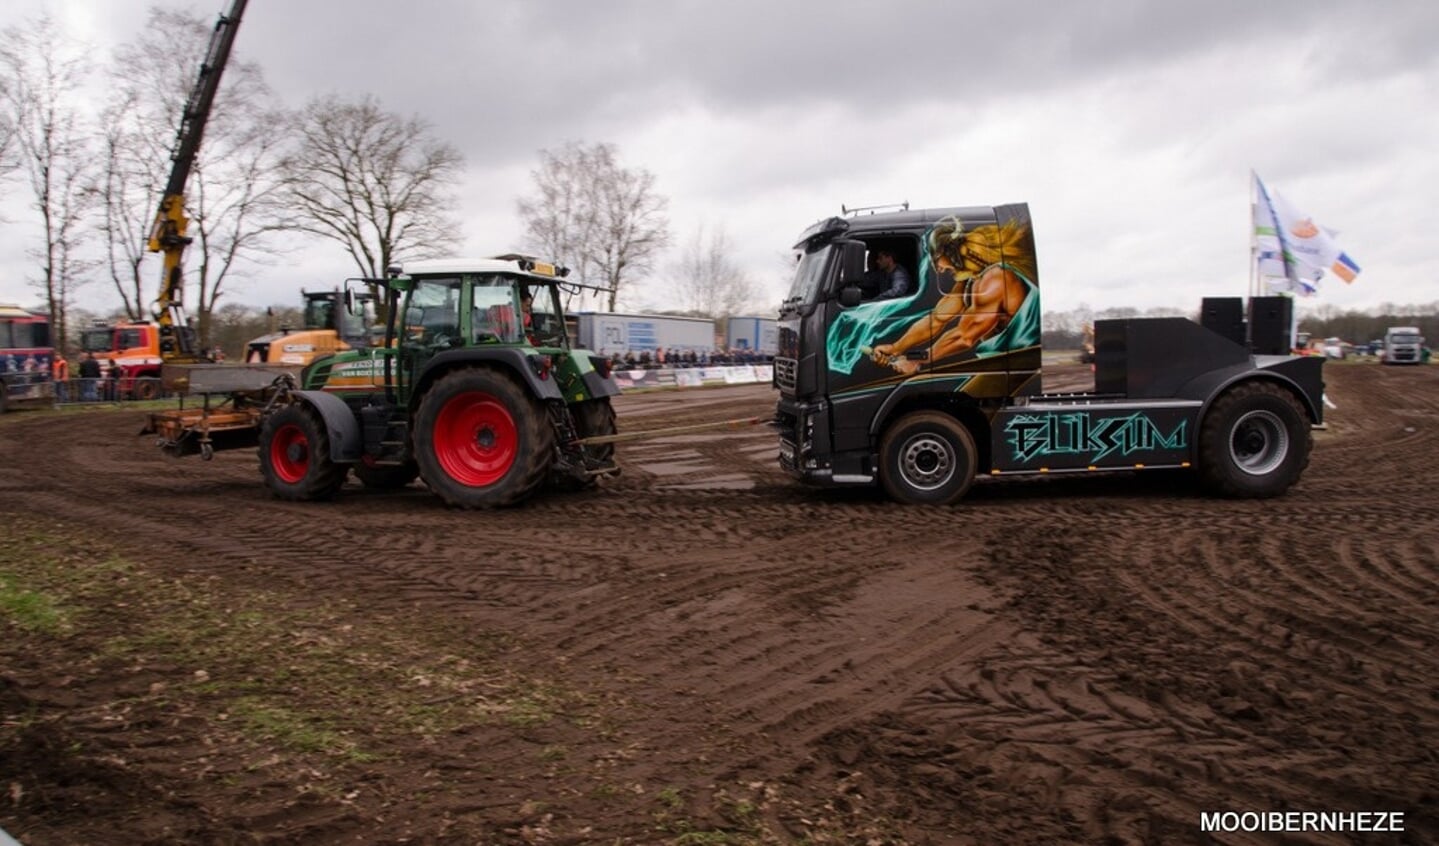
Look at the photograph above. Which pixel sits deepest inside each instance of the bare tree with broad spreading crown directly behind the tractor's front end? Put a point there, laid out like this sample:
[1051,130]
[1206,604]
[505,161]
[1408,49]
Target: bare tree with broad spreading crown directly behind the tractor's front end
[376,183]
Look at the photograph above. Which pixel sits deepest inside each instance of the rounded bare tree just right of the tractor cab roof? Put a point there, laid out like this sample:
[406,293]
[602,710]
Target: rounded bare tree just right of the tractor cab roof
[602,219]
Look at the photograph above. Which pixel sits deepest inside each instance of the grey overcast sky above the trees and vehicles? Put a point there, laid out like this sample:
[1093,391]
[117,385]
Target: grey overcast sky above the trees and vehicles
[1129,127]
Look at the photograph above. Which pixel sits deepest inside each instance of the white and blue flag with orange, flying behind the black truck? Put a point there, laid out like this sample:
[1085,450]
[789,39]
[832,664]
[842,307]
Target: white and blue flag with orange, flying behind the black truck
[1292,251]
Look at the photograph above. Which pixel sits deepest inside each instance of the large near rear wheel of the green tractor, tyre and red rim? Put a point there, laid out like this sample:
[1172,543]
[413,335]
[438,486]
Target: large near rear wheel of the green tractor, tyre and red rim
[481,441]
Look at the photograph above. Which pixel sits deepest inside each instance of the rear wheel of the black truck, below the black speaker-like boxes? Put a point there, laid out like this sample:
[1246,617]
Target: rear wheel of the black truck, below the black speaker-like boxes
[1254,442]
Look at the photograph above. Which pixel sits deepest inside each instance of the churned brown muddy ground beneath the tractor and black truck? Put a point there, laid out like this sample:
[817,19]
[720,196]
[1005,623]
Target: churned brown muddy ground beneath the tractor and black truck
[717,655]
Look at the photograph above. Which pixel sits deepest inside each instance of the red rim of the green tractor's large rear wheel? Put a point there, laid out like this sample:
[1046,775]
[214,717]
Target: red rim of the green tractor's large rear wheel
[476,440]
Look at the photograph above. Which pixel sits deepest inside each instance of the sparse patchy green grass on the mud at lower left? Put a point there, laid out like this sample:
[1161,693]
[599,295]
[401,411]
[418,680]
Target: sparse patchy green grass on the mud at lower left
[319,680]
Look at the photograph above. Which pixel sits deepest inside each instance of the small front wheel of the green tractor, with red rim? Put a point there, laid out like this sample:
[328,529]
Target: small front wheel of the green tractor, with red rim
[296,457]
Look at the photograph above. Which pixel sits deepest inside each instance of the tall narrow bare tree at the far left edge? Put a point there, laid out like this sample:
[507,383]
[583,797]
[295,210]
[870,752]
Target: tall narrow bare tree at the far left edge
[44,73]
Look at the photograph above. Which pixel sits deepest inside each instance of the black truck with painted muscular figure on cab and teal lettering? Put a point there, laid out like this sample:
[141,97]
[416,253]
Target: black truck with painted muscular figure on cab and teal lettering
[923,392]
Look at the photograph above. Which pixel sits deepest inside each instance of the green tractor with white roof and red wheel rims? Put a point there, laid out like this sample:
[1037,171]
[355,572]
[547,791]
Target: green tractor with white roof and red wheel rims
[477,391]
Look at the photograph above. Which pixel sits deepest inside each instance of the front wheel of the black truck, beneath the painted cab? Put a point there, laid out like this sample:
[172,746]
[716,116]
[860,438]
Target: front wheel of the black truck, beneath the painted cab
[927,458]
